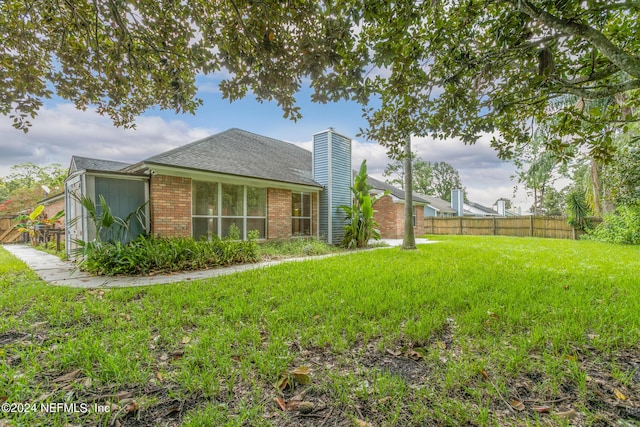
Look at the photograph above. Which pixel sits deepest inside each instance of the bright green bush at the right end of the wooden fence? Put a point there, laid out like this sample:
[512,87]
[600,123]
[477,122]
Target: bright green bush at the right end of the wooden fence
[621,226]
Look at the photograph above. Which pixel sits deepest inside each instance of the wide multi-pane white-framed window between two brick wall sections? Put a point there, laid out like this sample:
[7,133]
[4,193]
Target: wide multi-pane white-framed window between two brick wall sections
[227,210]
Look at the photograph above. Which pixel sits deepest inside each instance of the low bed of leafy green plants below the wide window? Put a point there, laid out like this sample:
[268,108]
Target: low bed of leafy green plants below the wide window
[146,255]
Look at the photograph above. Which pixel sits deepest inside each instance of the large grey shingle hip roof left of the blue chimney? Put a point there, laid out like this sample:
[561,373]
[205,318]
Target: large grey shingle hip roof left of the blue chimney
[242,153]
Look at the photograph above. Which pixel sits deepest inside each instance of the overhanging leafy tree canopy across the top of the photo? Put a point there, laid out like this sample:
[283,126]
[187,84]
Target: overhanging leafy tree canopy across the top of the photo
[453,68]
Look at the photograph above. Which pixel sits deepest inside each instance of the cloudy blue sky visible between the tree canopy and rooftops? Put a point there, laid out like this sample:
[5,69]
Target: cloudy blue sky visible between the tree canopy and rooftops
[61,131]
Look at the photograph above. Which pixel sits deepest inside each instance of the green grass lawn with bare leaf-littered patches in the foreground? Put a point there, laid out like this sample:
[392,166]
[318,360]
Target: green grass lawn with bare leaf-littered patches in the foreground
[450,334]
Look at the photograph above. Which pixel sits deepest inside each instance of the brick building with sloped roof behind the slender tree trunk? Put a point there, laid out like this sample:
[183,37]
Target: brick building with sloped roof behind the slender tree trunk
[389,210]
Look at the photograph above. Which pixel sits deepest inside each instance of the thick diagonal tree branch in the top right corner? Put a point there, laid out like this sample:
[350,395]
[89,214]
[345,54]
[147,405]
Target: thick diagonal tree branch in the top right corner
[626,62]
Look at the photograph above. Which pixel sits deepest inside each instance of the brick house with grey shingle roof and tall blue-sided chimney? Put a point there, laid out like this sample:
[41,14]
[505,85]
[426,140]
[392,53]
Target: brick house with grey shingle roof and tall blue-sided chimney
[229,183]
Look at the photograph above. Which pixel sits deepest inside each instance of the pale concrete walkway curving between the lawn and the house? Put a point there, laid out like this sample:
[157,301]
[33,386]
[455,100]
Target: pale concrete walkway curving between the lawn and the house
[55,271]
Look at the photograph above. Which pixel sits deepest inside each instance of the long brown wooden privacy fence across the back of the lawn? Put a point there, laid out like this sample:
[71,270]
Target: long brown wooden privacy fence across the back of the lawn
[523,226]
